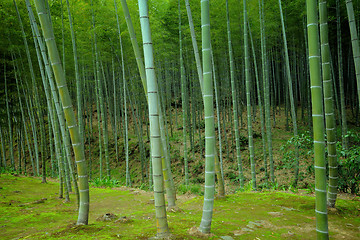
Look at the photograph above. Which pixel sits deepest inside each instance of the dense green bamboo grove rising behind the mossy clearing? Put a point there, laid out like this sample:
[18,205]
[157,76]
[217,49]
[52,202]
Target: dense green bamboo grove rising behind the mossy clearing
[258,66]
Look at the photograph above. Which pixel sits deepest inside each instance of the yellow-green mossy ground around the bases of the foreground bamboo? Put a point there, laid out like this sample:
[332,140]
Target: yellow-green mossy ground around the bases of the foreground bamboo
[32,210]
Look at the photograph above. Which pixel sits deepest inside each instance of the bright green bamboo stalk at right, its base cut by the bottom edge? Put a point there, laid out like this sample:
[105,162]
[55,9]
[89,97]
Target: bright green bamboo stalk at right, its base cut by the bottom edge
[318,121]
